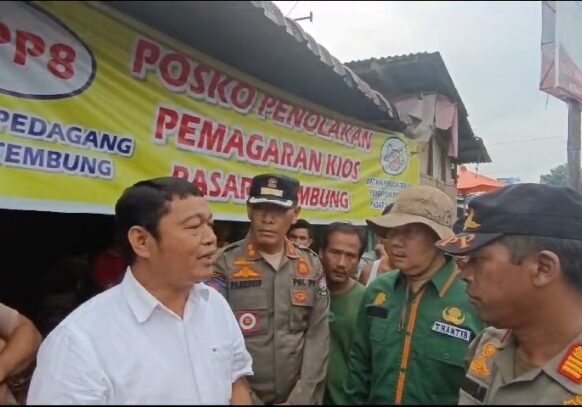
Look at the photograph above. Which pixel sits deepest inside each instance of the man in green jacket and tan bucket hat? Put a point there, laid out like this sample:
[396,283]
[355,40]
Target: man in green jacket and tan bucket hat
[415,324]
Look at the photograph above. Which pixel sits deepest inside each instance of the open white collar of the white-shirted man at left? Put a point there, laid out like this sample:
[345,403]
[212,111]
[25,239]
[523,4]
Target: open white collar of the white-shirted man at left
[143,303]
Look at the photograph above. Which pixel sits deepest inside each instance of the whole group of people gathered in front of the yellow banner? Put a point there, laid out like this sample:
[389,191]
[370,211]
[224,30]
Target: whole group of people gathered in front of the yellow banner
[484,315]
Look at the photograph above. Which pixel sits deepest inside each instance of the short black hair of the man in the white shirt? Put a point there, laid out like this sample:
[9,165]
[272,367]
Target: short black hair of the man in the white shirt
[144,204]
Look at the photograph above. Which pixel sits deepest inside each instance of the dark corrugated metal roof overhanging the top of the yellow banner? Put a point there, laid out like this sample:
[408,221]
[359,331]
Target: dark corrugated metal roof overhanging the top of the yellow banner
[255,38]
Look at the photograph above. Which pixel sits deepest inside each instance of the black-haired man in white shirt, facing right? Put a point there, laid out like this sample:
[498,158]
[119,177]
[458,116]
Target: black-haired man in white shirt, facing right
[160,336]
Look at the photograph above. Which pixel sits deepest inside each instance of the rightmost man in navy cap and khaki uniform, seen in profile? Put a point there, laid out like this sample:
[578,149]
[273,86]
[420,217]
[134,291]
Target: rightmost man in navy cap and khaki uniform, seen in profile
[521,255]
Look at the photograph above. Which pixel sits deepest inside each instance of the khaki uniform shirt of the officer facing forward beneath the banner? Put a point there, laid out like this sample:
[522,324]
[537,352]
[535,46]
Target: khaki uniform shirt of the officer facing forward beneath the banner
[283,315]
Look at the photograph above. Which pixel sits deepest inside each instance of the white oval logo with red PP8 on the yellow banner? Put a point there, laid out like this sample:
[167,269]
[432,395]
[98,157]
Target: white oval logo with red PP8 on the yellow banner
[35,44]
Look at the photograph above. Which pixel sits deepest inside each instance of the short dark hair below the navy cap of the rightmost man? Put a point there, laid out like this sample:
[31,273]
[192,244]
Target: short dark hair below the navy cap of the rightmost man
[568,251]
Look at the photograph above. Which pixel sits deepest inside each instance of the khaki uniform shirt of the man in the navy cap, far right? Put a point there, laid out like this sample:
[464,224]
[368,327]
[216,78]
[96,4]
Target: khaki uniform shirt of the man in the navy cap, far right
[490,374]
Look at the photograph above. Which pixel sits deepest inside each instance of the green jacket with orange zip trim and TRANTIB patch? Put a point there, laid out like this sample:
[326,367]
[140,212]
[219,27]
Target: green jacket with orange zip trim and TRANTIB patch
[410,349]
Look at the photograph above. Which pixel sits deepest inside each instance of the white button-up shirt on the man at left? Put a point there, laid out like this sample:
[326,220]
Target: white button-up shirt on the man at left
[124,347]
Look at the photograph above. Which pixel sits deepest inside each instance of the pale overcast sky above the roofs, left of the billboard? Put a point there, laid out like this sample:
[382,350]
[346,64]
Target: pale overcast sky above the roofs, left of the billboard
[492,51]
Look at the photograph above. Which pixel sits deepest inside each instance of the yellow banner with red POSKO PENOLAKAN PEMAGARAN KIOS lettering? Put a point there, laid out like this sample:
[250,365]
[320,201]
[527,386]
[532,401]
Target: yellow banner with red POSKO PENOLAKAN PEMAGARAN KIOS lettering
[91,102]
